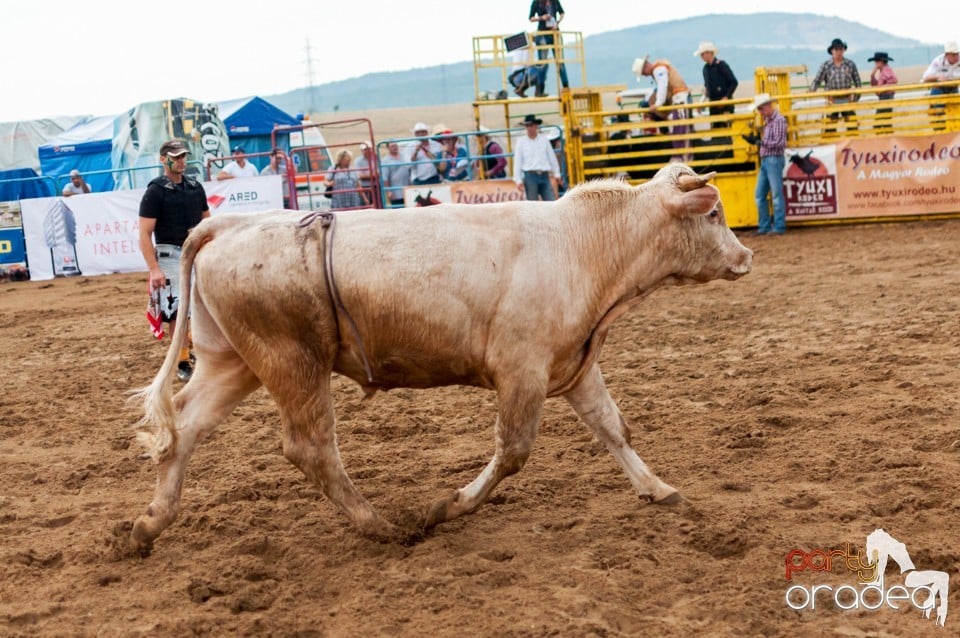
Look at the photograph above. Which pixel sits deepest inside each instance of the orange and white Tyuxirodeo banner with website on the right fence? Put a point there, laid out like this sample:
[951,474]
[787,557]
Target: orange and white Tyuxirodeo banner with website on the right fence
[874,177]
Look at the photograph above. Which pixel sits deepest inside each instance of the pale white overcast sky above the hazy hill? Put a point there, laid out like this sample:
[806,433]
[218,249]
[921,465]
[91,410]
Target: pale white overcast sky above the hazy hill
[105,56]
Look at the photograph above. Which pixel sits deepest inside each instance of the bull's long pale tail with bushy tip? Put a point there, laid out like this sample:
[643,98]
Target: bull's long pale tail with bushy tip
[159,433]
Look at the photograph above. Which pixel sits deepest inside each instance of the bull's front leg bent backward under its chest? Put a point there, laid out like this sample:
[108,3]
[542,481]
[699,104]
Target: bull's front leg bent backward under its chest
[520,405]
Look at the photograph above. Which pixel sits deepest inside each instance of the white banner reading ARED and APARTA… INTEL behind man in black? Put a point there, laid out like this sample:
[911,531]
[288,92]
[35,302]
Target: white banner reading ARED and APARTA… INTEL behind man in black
[98,233]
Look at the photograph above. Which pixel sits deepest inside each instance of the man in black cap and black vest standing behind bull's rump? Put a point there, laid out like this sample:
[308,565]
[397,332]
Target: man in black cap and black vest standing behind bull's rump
[171,205]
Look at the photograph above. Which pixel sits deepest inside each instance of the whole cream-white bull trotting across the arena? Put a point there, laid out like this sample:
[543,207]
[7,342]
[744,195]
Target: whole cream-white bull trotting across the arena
[515,297]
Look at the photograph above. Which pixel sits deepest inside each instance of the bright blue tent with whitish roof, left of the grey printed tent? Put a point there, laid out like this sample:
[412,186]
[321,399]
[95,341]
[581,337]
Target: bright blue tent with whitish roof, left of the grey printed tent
[87,147]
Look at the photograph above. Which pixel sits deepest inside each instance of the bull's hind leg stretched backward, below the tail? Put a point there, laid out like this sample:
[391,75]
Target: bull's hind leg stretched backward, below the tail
[221,380]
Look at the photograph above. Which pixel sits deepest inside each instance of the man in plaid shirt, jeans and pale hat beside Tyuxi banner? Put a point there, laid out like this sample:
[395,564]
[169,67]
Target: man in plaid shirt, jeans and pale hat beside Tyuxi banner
[773,144]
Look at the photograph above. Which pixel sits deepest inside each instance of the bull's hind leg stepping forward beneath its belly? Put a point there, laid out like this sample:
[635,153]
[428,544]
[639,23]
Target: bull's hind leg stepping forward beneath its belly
[310,443]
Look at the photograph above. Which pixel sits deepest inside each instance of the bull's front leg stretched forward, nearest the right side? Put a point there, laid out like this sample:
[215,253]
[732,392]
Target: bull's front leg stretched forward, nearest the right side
[594,405]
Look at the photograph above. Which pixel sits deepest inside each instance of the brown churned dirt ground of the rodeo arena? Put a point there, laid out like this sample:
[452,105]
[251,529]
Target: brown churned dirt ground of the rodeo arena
[802,407]
